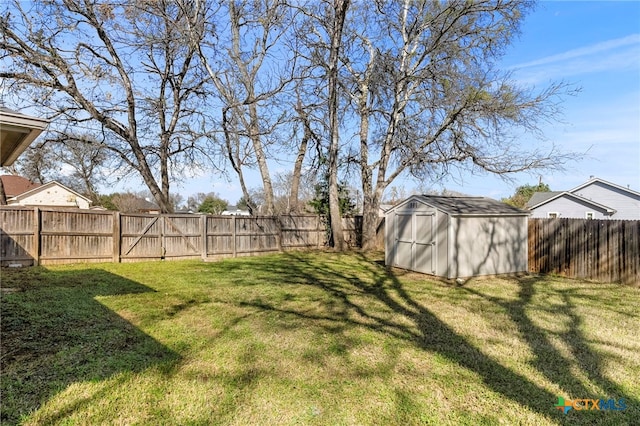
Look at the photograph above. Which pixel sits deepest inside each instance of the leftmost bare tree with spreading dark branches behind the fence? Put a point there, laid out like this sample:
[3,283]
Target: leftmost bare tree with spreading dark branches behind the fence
[123,70]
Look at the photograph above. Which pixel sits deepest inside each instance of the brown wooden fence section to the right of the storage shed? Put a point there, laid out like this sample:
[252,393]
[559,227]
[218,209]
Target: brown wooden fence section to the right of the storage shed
[601,250]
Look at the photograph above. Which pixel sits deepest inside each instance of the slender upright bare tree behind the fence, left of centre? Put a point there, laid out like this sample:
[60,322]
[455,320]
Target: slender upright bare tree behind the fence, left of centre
[250,71]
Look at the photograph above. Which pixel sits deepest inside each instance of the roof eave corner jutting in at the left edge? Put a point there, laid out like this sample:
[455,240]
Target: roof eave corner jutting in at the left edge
[17,131]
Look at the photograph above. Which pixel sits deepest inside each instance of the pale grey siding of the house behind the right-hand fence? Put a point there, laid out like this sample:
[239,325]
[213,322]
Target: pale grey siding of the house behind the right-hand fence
[626,204]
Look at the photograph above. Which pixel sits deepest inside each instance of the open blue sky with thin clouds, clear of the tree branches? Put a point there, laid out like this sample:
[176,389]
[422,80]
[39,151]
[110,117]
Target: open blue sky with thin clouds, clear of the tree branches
[591,45]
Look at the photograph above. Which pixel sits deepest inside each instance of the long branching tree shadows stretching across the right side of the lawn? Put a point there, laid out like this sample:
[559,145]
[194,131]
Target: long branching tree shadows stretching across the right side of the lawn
[431,334]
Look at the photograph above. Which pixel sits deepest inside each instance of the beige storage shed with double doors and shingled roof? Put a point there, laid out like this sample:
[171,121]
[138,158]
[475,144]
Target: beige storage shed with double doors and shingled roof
[456,237]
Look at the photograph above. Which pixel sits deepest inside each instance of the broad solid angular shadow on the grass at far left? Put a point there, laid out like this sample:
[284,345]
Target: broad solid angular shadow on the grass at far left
[54,333]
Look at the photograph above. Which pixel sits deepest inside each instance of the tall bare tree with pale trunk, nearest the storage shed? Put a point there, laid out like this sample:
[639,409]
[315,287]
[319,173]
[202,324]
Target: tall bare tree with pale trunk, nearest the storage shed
[428,96]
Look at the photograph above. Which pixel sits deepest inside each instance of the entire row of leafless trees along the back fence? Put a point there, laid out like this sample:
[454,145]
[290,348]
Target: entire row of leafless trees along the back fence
[378,89]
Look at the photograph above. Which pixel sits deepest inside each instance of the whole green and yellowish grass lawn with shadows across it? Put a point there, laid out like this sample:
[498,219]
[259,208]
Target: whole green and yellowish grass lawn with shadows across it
[311,338]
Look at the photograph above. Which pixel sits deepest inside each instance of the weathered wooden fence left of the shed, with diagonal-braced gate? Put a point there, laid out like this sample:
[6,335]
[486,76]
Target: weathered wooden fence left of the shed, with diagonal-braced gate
[51,236]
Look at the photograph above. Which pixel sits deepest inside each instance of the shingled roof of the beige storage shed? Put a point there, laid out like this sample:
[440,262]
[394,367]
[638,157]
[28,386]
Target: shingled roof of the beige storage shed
[472,206]
